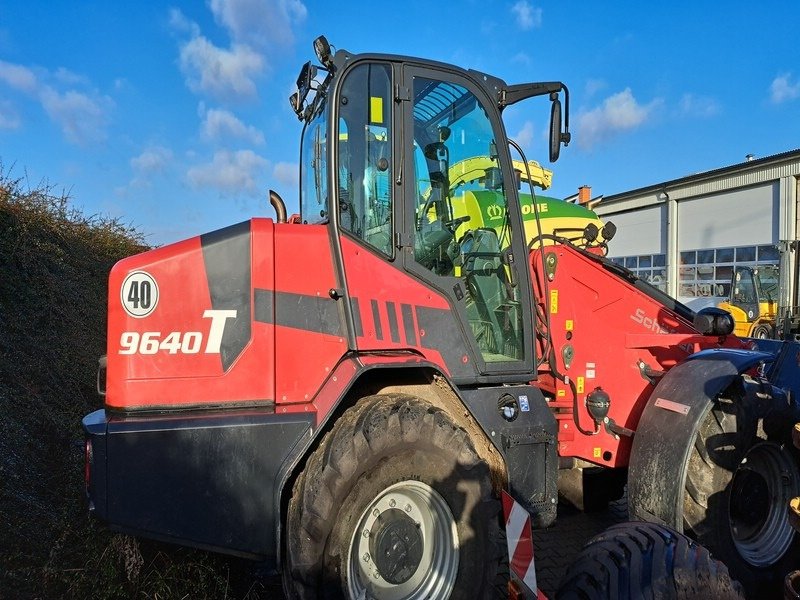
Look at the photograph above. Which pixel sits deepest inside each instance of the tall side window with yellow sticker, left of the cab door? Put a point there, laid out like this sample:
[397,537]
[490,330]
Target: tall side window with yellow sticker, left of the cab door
[365,160]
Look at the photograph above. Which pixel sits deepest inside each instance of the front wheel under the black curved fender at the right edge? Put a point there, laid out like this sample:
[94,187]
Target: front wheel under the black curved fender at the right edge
[738,514]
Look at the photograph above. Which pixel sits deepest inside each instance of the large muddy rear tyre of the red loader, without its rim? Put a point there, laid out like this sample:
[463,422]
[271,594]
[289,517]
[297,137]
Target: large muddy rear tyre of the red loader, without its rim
[361,435]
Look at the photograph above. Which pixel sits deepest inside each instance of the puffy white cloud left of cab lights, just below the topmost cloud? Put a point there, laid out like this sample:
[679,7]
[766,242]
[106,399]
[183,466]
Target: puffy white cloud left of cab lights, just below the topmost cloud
[218,72]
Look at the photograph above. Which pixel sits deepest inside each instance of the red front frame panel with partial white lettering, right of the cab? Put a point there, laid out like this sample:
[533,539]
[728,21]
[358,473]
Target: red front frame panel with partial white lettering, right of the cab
[602,327]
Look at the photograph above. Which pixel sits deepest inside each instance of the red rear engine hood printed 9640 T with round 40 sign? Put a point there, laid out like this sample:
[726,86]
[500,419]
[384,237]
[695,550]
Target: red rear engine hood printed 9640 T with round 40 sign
[173,356]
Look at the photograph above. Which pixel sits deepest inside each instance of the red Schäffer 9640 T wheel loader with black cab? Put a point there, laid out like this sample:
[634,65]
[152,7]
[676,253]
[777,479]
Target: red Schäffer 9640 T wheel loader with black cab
[343,394]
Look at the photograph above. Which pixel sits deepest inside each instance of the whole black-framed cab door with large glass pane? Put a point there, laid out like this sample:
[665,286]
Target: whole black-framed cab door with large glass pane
[465,241]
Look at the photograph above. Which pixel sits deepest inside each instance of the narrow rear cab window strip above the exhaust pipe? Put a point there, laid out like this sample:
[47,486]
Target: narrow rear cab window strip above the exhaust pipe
[313,166]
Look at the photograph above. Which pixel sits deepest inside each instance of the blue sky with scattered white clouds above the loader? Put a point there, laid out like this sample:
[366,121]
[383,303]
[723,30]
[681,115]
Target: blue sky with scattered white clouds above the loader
[174,116]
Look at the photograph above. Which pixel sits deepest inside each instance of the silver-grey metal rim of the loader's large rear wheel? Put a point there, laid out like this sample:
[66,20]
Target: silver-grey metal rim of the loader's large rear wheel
[404,547]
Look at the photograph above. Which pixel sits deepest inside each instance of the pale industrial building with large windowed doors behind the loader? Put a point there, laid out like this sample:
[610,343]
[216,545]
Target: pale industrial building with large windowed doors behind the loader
[687,235]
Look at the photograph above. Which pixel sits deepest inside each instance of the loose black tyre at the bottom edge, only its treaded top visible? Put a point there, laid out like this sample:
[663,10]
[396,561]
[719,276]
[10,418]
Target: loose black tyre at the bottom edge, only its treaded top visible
[646,560]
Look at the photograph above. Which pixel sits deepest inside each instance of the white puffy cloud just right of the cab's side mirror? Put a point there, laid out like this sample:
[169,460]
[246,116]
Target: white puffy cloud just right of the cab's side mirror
[620,112]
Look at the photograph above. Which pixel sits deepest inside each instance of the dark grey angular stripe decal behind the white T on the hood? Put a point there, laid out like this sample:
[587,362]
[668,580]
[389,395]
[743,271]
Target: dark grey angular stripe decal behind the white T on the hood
[226,254]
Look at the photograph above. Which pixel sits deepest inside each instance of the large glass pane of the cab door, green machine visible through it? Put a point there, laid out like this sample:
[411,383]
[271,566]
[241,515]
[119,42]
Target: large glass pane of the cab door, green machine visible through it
[460,225]
